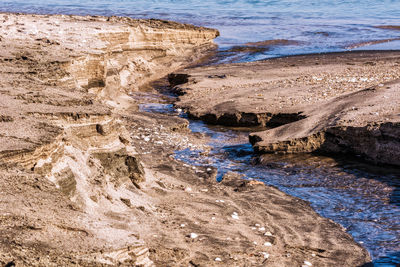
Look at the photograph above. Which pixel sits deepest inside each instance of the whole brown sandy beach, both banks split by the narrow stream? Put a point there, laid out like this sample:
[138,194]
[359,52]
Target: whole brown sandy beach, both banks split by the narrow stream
[89,179]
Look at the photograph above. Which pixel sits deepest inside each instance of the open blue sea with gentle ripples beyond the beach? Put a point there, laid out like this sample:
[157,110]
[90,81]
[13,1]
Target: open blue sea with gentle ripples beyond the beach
[318,25]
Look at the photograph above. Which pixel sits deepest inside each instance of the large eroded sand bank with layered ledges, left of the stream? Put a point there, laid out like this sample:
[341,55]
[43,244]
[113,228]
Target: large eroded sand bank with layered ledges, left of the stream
[90,180]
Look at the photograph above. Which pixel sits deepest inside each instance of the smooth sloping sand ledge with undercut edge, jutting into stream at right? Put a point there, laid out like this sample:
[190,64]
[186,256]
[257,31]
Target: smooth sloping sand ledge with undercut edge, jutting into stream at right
[365,123]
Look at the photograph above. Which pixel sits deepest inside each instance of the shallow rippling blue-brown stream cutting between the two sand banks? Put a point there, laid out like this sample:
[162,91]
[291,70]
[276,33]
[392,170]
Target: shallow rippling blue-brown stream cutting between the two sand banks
[363,198]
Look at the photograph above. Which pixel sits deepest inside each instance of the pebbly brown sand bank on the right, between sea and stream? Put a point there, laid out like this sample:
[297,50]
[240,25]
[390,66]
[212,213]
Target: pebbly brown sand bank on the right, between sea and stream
[340,102]
